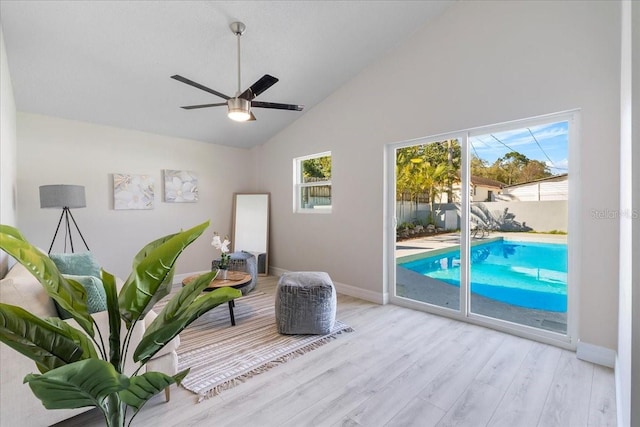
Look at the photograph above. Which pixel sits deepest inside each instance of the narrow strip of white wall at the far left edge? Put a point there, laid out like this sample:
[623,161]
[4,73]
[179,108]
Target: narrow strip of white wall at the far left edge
[8,173]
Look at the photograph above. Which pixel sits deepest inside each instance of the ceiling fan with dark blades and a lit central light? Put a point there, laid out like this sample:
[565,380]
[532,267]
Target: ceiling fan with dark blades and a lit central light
[239,106]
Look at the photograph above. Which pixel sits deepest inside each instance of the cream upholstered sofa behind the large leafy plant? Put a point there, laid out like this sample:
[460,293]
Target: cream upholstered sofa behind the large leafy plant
[18,405]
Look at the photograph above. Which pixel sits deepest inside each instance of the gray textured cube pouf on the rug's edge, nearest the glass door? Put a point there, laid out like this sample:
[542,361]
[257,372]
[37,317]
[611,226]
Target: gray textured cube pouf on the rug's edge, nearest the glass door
[305,303]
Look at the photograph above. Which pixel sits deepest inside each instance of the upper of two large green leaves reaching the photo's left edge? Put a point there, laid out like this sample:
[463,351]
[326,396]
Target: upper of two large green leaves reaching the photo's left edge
[69,294]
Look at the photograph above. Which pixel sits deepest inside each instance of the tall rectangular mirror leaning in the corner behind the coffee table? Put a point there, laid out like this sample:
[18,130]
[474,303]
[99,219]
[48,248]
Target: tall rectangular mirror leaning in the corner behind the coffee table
[251,227]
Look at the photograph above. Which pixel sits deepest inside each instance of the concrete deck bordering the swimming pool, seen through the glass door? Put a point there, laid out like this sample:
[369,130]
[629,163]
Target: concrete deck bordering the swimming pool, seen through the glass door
[422,288]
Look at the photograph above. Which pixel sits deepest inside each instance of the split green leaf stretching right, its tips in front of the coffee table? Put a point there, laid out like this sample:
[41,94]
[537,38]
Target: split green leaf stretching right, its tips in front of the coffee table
[185,307]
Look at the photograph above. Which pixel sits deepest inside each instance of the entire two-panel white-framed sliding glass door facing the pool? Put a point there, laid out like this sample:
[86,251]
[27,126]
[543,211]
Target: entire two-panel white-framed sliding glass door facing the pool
[482,225]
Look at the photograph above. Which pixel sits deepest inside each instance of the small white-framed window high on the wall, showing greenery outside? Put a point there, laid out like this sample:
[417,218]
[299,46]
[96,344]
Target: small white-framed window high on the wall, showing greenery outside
[312,183]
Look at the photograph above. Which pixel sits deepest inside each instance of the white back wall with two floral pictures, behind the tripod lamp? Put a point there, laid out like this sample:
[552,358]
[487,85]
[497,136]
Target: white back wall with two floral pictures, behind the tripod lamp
[58,151]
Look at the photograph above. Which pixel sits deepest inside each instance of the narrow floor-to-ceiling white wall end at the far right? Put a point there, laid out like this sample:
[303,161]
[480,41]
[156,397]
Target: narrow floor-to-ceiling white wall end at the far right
[628,362]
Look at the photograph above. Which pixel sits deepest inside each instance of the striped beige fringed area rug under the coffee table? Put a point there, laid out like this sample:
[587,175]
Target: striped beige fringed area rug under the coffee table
[221,356]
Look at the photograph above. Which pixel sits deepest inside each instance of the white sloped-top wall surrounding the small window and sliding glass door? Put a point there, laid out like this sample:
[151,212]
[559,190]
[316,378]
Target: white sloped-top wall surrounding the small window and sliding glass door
[480,63]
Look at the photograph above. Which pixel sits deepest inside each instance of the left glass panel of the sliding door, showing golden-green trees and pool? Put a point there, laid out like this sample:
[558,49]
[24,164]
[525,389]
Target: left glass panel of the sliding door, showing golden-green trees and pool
[428,231]
